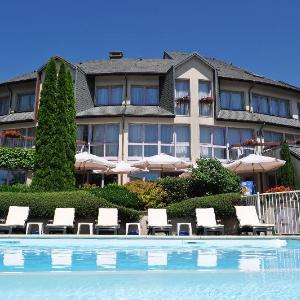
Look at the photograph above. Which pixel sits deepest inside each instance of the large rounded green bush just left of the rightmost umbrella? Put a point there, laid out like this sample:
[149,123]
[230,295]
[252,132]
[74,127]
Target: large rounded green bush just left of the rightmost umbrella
[209,177]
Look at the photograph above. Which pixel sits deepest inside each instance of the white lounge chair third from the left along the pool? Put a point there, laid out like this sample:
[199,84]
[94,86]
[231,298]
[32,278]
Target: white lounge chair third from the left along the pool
[107,220]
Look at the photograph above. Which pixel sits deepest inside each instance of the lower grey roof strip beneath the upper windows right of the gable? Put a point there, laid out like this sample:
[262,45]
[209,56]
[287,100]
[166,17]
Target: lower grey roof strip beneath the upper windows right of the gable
[246,116]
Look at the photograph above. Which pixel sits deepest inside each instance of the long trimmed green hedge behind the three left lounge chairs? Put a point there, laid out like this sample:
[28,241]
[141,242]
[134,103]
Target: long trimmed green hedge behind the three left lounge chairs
[42,205]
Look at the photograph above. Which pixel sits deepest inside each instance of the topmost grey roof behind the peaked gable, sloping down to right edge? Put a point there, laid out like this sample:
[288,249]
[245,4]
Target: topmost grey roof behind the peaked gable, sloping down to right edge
[229,71]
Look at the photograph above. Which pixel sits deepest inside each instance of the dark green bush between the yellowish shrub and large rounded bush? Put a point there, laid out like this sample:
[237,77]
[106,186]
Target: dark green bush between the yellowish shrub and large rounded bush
[177,188]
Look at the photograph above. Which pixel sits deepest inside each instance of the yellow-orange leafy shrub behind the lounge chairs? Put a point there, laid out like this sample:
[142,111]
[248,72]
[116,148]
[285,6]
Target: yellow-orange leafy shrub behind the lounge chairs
[150,193]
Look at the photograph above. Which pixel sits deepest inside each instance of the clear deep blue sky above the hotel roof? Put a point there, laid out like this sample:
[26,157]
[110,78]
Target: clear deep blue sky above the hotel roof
[260,35]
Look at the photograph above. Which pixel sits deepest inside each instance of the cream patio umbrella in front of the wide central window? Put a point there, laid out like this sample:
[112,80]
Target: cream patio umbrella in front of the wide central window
[161,162]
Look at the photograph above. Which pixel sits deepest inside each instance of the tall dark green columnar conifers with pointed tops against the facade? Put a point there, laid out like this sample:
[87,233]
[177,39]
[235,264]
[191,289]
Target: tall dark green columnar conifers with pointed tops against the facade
[53,169]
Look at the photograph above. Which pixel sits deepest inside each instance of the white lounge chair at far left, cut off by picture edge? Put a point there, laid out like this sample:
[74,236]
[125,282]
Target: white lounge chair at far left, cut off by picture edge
[16,218]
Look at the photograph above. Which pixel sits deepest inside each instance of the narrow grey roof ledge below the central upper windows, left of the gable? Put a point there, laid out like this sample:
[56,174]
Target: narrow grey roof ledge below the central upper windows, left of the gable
[139,111]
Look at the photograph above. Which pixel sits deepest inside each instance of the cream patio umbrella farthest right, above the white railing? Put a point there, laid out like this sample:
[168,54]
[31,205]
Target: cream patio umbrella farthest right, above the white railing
[255,164]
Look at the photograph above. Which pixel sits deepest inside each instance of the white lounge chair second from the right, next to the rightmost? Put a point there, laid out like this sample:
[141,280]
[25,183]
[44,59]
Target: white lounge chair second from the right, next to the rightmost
[206,221]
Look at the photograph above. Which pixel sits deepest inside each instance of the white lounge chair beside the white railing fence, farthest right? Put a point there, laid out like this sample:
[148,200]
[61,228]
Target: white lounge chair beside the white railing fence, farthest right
[248,220]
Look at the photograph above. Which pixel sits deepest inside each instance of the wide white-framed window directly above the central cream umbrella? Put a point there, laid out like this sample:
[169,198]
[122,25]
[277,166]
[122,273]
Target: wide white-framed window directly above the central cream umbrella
[150,139]
